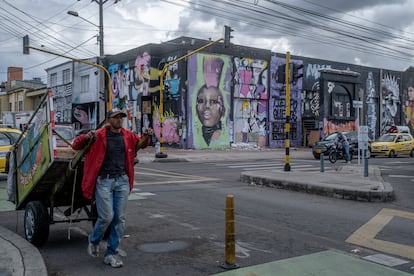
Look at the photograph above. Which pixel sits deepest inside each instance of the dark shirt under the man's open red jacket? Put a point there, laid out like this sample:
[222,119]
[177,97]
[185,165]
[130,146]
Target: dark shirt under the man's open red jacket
[114,162]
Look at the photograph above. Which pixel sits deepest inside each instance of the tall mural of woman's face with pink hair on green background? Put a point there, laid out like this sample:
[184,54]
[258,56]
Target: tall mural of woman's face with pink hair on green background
[209,98]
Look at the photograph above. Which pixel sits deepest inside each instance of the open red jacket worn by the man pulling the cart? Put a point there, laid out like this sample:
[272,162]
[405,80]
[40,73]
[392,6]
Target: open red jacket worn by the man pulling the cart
[96,154]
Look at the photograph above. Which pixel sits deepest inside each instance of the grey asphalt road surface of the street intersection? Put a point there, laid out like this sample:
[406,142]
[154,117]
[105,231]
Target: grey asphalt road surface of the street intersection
[176,221]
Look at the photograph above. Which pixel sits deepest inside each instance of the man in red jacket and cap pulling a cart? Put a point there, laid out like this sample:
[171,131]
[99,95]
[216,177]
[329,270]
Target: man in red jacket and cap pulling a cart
[108,174]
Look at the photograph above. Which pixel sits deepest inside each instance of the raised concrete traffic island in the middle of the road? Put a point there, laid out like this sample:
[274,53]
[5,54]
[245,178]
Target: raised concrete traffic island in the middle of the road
[347,182]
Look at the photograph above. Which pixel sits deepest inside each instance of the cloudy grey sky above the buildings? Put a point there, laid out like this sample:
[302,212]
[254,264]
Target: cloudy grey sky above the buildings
[378,33]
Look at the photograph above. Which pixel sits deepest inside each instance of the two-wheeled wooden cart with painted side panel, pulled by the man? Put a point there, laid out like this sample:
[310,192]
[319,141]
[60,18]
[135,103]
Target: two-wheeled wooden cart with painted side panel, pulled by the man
[46,178]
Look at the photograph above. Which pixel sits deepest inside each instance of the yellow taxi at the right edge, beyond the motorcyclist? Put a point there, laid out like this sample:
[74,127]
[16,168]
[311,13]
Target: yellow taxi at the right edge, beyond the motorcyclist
[393,144]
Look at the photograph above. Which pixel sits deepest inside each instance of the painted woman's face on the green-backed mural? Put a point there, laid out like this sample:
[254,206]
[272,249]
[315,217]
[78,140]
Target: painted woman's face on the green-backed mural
[209,106]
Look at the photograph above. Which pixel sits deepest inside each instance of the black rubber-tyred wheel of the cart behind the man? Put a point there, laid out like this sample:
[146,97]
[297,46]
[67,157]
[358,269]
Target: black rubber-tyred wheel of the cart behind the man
[36,223]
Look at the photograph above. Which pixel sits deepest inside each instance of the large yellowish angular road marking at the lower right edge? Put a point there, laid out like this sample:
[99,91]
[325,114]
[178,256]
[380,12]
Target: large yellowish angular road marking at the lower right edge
[365,235]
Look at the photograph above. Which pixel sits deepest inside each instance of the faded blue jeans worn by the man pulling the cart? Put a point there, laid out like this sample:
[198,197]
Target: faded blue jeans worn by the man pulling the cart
[111,196]
